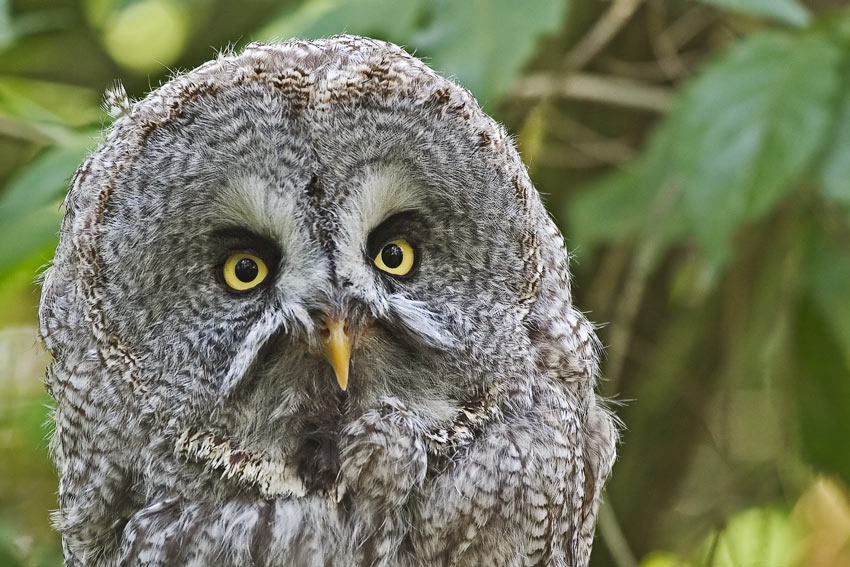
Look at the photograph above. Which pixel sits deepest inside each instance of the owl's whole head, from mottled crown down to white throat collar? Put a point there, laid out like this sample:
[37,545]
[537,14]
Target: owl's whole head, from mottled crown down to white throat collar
[281,239]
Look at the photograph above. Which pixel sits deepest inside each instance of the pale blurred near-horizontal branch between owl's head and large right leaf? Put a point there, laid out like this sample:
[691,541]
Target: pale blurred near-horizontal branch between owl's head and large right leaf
[593,88]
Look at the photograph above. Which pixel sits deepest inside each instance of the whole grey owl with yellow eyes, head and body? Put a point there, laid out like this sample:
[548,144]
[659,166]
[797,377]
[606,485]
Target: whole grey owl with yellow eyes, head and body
[308,309]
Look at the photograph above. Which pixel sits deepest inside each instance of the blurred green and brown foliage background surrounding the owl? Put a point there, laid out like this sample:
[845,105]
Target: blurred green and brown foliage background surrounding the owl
[696,155]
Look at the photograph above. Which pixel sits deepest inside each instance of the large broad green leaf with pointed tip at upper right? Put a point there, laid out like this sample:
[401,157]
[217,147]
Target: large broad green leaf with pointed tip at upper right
[744,132]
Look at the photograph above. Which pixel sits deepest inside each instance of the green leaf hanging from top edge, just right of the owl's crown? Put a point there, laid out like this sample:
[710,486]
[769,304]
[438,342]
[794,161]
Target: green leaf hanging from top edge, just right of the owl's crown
[485,43]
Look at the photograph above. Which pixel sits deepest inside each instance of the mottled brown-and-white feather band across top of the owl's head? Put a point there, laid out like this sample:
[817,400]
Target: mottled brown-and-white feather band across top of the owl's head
[311,80]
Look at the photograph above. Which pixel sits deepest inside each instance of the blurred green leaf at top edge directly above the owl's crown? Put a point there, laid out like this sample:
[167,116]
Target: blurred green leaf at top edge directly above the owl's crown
[384,19]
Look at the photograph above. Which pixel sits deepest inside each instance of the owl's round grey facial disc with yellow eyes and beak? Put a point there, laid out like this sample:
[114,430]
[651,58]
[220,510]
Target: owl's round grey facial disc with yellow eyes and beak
[279,261]
